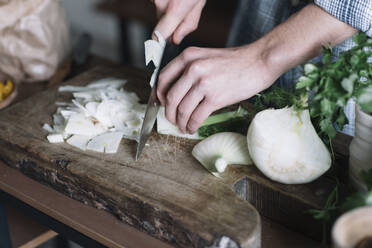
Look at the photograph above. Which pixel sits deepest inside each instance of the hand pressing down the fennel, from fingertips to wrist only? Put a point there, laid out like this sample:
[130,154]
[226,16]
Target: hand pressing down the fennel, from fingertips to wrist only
[210,79]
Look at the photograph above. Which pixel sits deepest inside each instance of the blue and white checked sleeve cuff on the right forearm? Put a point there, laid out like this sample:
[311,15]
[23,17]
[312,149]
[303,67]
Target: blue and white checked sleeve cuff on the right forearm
[357,13]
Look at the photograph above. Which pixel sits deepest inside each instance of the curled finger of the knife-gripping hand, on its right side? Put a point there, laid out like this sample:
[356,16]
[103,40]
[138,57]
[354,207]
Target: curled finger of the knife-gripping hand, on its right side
[189,24]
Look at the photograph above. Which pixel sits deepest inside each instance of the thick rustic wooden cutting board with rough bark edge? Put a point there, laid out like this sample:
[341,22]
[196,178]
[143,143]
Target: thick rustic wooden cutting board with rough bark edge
[167,193]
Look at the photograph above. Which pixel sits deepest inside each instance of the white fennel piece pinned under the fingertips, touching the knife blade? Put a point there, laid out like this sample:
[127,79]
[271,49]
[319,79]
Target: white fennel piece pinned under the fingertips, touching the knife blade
[165,127]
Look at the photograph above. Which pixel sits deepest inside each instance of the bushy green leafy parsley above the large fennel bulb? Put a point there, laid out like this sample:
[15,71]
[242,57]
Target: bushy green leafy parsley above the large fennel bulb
[334,81]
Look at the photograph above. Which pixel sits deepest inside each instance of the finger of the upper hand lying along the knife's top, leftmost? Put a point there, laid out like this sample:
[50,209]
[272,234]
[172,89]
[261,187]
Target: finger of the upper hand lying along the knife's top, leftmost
[174,15]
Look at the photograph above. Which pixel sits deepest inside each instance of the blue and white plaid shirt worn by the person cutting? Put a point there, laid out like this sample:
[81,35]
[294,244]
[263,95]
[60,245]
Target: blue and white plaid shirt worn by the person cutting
[255,18]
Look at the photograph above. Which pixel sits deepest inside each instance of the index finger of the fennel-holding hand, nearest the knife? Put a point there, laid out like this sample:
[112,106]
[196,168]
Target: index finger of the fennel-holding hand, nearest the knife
[174,69]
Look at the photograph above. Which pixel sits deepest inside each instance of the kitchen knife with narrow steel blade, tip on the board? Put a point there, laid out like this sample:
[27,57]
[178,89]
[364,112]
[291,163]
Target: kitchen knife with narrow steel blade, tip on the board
[170,52]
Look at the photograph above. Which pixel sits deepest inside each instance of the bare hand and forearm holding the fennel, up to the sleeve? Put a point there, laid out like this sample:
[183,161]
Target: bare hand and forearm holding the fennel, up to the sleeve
[209,79]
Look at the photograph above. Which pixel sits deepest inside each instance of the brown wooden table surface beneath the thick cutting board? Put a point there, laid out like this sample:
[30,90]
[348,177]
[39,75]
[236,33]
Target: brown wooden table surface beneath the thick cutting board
[110,231]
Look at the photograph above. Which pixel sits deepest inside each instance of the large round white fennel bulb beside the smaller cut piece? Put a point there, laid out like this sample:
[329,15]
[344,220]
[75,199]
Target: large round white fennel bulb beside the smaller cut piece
[284,146]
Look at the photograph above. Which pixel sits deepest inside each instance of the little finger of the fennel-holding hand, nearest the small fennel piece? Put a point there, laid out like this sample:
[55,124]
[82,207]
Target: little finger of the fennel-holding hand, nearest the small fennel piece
[204,109]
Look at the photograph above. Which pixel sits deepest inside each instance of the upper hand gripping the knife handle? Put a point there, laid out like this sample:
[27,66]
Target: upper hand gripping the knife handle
[178,18]
